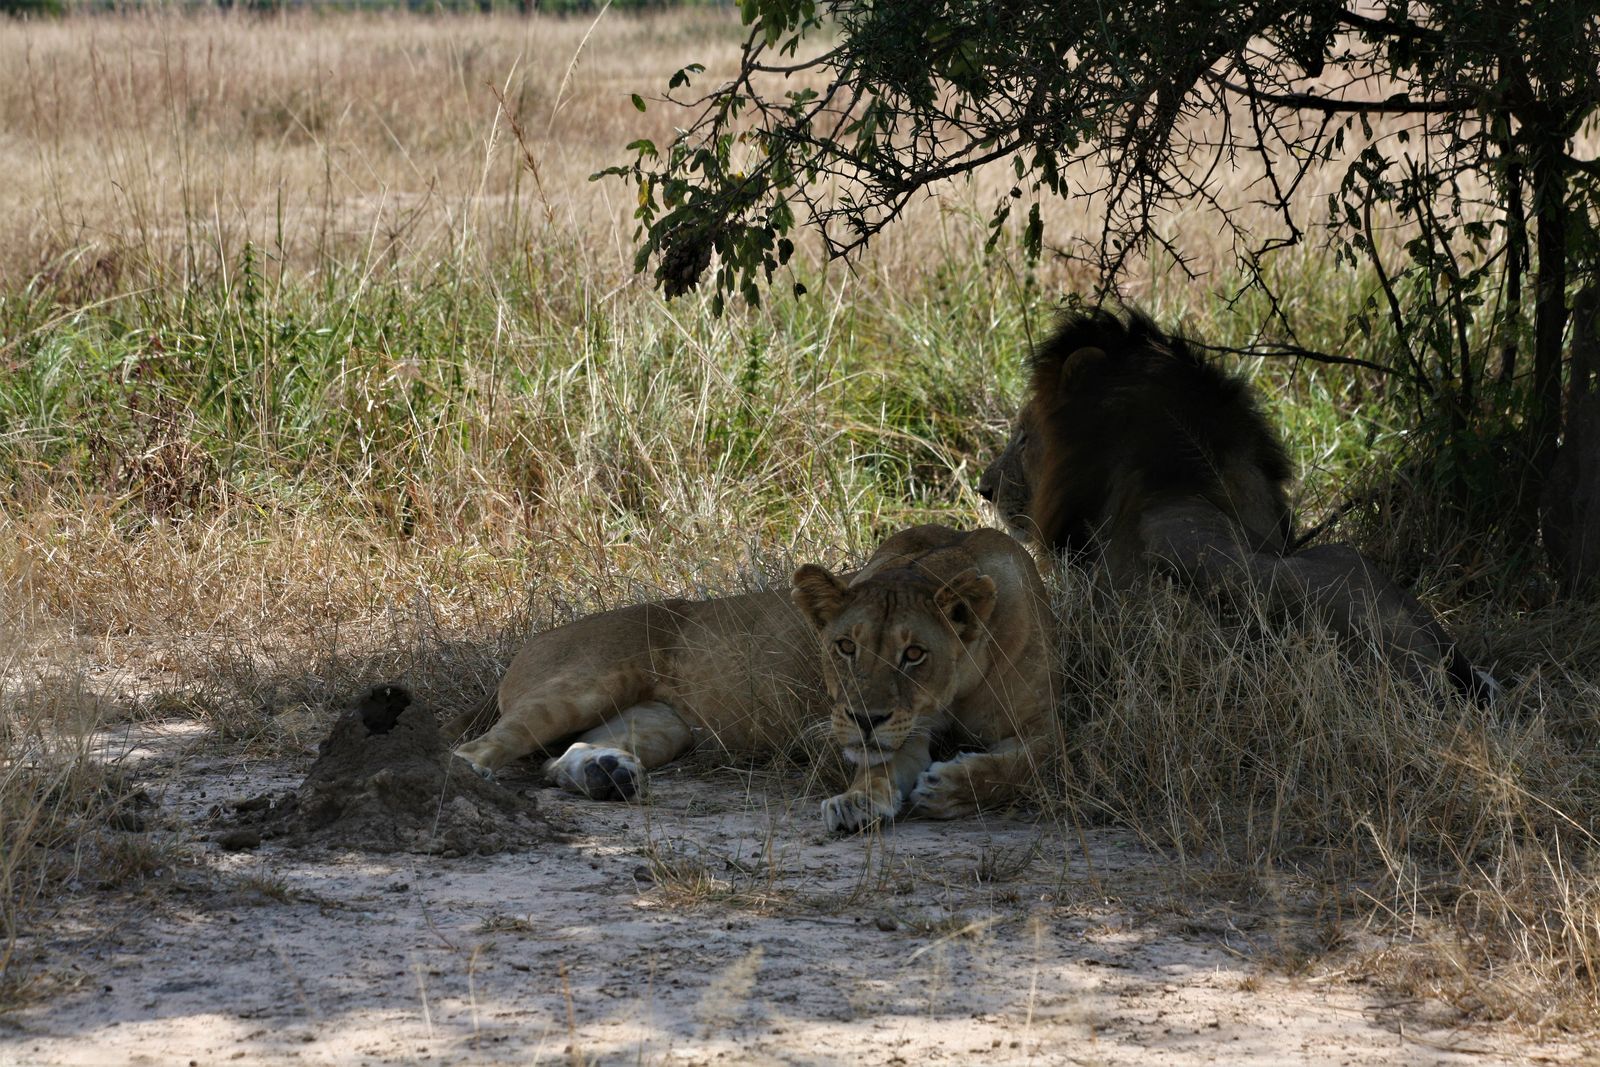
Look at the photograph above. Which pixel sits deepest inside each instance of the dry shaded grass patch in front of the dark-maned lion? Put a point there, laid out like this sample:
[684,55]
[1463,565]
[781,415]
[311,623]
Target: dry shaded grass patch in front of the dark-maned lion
[1241,743]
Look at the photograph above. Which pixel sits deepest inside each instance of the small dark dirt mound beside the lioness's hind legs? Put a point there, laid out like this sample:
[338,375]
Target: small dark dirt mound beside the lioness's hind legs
[386,783]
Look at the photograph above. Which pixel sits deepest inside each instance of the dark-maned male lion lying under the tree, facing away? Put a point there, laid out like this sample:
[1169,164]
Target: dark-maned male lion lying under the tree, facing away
[1134,452]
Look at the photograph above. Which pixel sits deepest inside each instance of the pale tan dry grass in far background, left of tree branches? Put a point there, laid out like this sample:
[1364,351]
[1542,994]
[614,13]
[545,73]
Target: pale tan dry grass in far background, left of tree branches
[137,146]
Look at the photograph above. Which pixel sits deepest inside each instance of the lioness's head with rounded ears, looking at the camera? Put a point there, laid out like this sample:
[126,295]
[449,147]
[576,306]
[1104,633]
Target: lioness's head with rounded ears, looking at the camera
[897,649]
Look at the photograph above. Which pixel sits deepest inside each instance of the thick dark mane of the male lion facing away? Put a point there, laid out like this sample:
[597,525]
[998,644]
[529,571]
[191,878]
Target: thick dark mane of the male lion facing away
[1130,410]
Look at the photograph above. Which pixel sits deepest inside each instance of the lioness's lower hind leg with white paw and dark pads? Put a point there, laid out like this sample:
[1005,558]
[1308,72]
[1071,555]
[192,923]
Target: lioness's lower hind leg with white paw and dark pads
[610,761]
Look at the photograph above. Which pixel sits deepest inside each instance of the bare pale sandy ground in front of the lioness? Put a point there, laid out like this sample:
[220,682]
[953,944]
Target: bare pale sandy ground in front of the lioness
[716,924]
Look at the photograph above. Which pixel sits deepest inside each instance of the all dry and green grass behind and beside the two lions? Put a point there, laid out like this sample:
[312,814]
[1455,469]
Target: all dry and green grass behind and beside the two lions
[313,382]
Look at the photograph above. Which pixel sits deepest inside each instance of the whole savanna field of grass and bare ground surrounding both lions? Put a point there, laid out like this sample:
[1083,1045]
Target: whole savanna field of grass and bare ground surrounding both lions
[324,364]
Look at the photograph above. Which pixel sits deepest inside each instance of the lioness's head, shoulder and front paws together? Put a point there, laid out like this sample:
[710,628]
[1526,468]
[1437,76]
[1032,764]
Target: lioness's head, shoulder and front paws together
[975,607]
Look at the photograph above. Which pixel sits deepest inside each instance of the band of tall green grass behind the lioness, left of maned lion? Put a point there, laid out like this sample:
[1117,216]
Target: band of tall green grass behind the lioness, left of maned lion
[369,398]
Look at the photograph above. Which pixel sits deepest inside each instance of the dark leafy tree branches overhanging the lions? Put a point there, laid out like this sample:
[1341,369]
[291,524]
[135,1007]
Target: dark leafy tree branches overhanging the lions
[1460,121]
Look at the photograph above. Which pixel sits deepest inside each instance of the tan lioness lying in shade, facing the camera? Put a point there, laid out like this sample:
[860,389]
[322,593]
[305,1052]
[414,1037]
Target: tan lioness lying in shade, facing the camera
[943,636]
